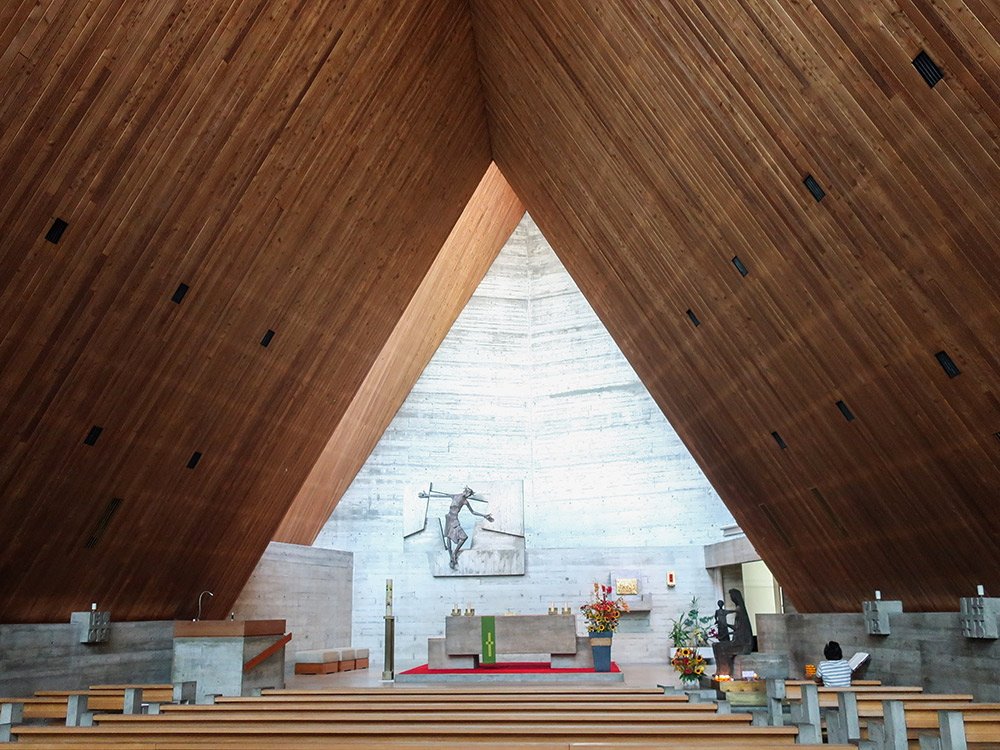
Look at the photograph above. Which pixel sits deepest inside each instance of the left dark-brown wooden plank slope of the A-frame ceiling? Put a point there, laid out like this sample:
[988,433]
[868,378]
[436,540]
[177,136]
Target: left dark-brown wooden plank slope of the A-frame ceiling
[298,165]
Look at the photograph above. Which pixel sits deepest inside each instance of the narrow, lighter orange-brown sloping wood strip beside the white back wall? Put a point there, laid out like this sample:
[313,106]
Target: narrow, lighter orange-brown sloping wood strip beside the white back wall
[481,232]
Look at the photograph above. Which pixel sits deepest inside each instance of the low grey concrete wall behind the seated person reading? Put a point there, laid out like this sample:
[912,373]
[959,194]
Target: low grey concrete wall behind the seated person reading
[924,649]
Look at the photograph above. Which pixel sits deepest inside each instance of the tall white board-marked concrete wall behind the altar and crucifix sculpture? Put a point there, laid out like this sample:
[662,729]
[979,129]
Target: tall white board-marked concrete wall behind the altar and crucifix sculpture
[528,385]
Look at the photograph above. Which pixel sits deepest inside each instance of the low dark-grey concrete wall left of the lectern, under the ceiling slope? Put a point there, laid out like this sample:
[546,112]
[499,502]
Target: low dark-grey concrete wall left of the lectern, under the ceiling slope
[51,657]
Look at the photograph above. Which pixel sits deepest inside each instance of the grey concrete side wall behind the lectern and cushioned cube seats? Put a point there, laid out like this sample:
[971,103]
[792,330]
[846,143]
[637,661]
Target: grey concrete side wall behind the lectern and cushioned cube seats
[310,588]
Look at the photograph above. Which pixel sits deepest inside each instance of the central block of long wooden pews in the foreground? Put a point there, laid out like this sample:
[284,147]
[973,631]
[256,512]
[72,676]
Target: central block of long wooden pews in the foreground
[447,718]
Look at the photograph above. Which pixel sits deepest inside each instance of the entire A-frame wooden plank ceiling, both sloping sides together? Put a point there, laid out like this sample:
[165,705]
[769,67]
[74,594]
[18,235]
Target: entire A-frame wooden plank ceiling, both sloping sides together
[299,166]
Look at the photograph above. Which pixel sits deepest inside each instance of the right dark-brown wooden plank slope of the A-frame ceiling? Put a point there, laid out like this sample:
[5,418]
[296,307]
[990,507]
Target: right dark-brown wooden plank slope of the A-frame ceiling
[653,142]
